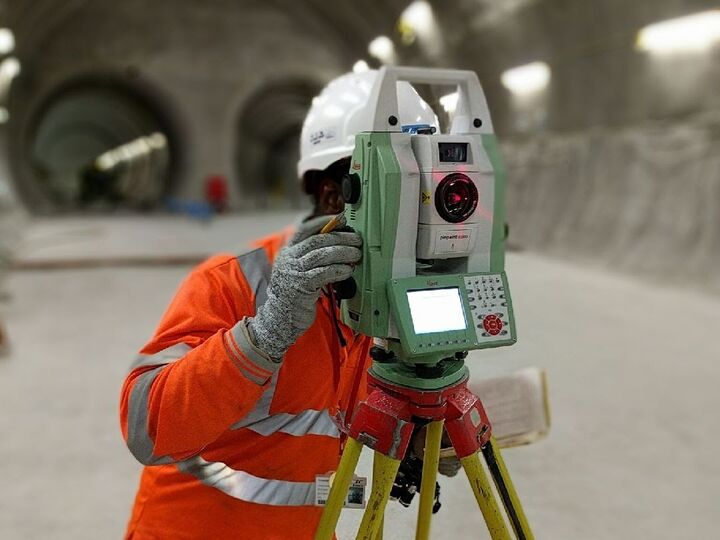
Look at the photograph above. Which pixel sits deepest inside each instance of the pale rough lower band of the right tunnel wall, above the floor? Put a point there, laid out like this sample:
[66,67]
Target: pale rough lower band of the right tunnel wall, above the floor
[644,200]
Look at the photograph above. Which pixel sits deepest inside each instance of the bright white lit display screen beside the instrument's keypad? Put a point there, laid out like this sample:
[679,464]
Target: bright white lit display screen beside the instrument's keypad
[436,310]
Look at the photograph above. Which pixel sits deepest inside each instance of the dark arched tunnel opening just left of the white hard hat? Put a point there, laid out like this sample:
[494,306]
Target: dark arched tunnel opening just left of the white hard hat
[268,144]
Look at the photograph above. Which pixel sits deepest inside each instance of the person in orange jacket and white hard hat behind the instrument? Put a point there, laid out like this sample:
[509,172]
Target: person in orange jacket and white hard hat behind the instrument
[233,406]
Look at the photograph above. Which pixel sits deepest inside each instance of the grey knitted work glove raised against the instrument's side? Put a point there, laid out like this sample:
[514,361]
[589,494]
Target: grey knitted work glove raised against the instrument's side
[308,263]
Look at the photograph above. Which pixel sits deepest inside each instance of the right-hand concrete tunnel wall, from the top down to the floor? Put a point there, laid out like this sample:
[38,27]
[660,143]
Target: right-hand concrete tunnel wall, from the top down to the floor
[622,169]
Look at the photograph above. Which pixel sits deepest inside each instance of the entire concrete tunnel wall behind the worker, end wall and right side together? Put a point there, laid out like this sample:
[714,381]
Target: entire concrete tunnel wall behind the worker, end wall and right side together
[615,163]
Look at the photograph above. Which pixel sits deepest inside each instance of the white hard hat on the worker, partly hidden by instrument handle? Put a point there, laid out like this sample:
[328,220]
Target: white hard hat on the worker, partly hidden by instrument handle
[341,111]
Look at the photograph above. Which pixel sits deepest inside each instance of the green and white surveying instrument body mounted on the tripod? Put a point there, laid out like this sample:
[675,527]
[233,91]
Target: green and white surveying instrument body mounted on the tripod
[386,214]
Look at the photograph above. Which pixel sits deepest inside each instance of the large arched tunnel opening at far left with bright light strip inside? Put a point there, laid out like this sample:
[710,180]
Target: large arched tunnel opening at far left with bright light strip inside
[96,147]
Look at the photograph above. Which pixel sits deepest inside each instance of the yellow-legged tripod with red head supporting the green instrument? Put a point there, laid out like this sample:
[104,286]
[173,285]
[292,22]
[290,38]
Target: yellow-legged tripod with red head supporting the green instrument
[385,422]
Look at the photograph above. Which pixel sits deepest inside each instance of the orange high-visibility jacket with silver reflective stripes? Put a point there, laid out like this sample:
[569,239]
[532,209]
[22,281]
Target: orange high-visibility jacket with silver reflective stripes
[232,444]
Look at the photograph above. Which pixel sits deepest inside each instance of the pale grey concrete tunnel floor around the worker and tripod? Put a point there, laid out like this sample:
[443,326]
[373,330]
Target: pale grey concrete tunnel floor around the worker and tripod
[633,371]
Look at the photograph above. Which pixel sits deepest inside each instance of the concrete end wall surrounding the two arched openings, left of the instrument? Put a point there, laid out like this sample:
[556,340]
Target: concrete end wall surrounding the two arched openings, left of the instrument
[198,66]
